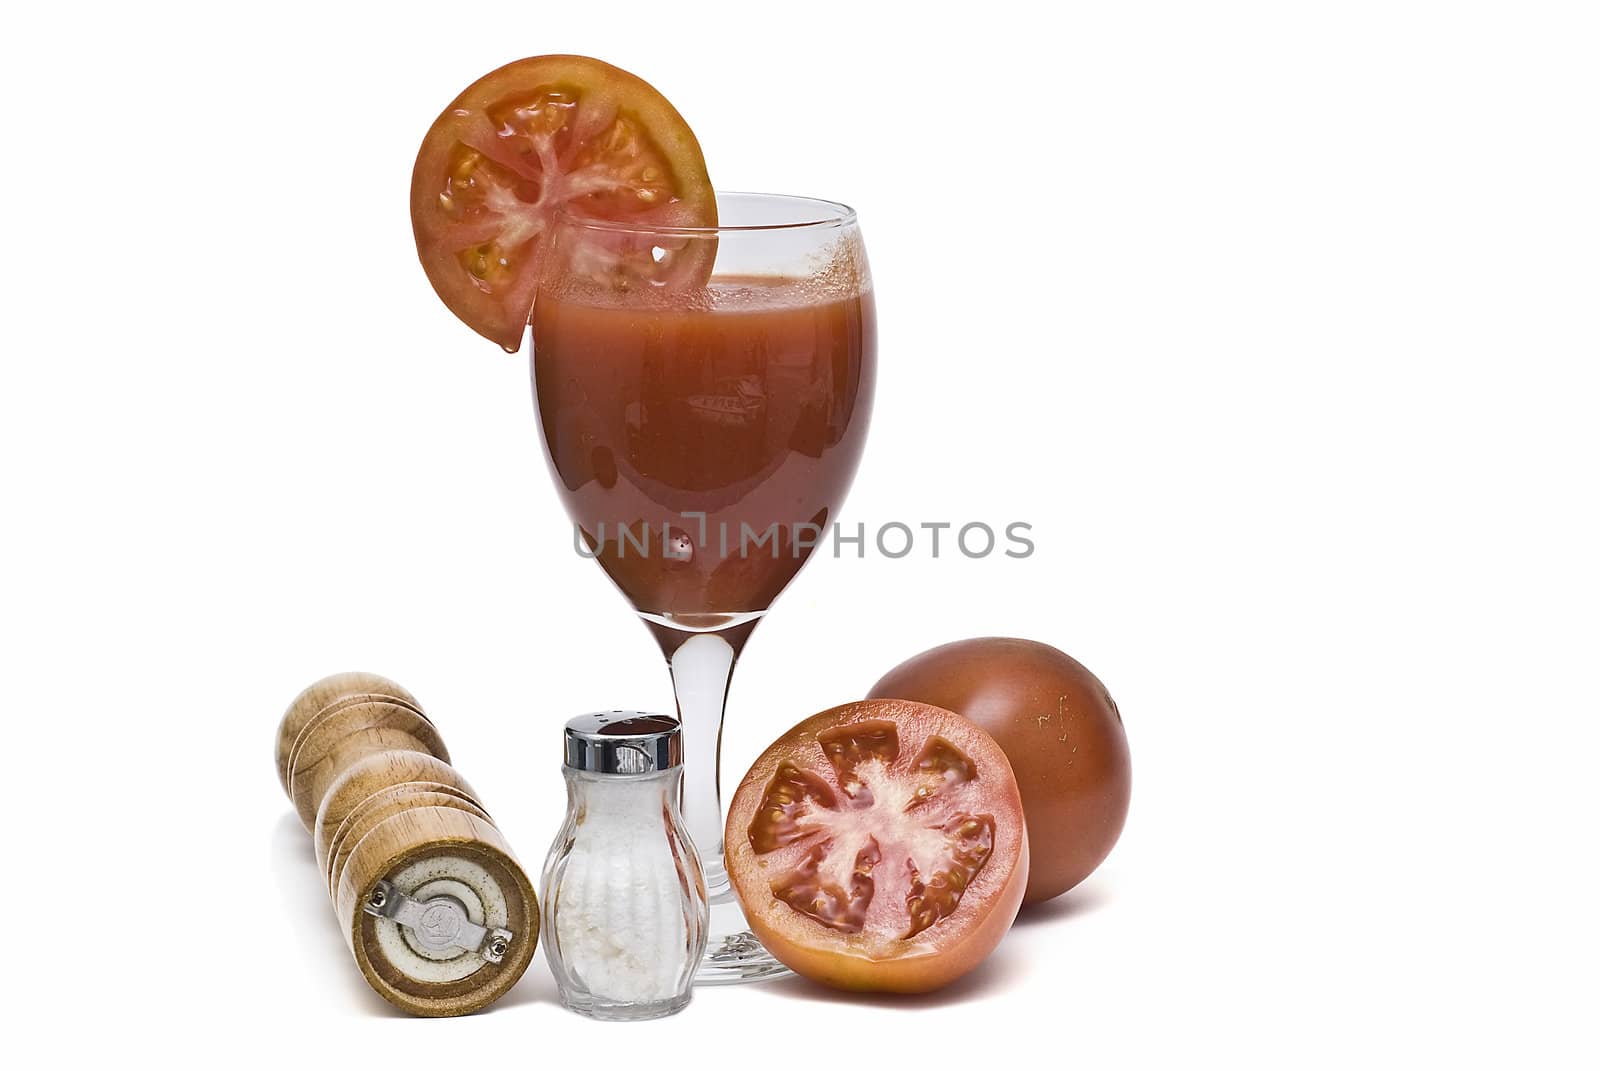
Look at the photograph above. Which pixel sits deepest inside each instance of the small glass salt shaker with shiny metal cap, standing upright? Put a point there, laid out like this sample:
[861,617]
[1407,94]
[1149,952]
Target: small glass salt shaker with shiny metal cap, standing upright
[625,894]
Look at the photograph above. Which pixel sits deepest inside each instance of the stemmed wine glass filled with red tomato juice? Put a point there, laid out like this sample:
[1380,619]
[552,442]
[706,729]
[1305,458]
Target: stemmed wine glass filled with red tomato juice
[705,398]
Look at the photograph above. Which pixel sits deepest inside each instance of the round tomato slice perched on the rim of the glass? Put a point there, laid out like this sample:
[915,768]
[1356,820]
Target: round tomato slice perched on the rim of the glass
[527,142]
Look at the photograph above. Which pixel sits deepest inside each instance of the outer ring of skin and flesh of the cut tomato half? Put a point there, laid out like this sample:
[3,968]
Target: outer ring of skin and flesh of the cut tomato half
[953,947]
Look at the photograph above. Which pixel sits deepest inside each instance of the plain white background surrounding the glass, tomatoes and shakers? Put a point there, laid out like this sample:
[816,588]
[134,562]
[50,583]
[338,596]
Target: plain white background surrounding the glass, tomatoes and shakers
[1278,321]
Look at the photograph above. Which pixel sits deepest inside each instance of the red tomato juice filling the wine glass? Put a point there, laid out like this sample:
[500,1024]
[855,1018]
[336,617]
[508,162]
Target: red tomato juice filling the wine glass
[695,441]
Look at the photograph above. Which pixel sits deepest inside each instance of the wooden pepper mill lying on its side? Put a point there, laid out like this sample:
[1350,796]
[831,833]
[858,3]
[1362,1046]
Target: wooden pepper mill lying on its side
[428,894]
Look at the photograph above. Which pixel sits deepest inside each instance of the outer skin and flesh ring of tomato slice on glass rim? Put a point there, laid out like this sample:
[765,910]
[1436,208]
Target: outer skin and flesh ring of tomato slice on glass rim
[500,311]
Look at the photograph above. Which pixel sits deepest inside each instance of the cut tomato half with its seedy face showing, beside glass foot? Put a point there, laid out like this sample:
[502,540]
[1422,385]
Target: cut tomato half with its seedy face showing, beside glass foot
[881,846]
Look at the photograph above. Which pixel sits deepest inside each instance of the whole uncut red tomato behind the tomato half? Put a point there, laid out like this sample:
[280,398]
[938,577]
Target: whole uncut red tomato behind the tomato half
[1062,731]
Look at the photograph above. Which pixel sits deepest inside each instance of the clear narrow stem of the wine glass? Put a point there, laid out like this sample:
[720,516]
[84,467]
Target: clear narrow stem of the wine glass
[702,670]
